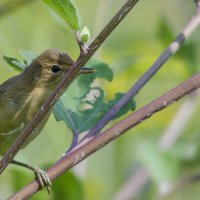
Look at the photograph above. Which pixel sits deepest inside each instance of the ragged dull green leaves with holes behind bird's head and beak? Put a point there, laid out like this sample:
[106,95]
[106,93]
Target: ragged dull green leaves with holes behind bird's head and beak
[83,104]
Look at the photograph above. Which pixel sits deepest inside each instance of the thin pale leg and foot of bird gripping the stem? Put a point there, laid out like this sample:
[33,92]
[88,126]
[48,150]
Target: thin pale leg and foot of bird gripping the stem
[40,175]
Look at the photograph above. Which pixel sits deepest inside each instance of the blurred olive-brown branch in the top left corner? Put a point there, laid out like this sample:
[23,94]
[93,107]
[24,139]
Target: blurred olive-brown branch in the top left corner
[11,5]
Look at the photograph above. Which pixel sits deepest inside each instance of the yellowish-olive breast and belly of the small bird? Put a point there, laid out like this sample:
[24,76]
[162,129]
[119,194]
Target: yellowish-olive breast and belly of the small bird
[15,115]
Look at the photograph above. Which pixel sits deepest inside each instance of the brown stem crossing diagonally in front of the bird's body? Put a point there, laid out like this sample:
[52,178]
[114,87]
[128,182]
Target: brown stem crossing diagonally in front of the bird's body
[68,78]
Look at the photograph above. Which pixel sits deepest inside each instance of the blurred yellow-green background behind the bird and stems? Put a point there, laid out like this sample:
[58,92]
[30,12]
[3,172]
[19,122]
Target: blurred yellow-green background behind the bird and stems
[145,163]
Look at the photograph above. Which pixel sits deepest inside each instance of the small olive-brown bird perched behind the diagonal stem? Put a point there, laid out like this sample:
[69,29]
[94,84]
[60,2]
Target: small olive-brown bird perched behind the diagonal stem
[21,96]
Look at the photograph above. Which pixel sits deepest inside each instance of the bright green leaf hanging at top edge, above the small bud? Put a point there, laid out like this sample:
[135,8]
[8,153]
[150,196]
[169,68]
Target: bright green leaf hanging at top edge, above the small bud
[67,10]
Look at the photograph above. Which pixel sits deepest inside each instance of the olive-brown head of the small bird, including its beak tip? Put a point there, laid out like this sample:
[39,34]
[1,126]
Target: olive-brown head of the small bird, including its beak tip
[49,68]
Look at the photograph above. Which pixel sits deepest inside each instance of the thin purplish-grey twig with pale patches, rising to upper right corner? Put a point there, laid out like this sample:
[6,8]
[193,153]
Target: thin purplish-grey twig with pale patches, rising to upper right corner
[134,90]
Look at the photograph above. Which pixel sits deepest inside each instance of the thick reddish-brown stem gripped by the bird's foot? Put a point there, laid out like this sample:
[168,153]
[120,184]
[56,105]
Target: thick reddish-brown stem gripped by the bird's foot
[94,144]
